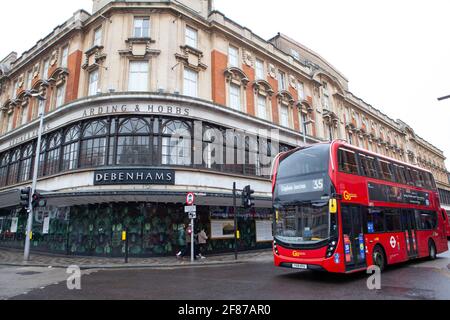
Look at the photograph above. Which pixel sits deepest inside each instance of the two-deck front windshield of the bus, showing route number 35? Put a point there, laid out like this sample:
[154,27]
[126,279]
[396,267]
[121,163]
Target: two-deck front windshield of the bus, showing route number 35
[302,191]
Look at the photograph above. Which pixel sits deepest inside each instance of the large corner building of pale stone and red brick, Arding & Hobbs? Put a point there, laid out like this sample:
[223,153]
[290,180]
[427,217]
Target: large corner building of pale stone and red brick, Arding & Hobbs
[118,81]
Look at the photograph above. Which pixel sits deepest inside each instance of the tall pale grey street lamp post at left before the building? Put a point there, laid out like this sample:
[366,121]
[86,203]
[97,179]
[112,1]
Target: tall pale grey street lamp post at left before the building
[34,183]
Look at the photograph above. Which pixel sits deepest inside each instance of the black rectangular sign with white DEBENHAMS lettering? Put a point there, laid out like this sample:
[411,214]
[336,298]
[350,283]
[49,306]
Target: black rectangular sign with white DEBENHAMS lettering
[134,176]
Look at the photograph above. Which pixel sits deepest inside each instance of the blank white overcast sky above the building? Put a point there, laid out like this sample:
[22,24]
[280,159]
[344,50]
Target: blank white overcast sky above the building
[396,54]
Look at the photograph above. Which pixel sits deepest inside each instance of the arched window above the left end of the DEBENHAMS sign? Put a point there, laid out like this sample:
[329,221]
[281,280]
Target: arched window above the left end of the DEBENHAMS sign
[93,145]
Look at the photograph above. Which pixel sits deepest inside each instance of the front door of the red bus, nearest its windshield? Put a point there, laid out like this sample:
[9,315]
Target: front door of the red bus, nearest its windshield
[353,233]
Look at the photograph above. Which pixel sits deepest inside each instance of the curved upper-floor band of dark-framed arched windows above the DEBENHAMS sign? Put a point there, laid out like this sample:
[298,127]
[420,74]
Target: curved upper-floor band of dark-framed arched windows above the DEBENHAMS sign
[152,141]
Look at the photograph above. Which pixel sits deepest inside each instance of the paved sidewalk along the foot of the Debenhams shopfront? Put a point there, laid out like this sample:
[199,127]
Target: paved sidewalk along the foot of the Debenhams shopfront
[12,257]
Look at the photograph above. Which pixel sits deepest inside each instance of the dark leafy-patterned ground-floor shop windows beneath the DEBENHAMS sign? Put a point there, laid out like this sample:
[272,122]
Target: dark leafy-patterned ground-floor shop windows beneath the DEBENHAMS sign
[153,229]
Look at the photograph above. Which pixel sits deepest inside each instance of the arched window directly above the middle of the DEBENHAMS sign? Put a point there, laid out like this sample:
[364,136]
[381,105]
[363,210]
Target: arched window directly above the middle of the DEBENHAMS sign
[134,143]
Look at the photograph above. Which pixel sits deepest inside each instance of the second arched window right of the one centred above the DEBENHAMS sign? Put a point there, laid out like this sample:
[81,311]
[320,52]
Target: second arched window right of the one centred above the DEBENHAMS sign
[213,148]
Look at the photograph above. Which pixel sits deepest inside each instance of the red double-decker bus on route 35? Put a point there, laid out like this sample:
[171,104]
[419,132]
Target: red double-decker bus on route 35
[342,209]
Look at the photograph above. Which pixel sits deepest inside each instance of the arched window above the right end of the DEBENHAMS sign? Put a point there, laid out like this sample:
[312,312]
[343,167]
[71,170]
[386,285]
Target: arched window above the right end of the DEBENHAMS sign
[176,144]
